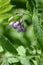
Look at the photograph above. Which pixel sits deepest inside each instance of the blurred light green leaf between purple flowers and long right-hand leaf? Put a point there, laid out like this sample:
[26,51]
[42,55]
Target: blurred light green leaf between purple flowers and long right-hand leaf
[31,36]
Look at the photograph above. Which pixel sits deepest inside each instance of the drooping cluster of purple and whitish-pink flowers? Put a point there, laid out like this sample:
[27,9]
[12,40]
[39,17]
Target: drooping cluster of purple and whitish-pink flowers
[18,25]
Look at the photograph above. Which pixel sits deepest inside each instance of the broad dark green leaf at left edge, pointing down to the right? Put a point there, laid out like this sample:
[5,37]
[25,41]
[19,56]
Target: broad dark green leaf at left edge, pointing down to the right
[7,45]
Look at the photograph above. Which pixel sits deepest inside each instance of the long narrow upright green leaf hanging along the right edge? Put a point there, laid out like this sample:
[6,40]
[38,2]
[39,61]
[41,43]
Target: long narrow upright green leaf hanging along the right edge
[37,29]
